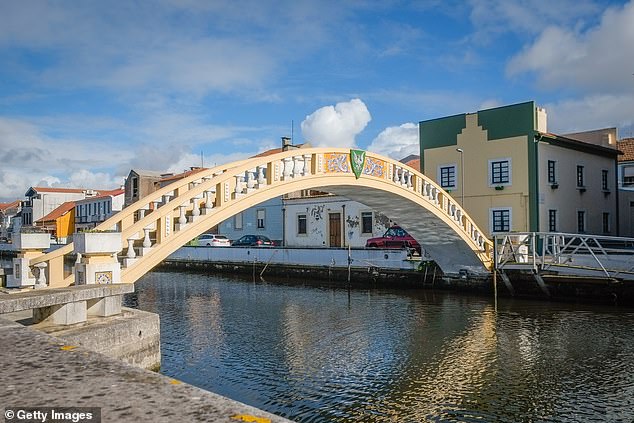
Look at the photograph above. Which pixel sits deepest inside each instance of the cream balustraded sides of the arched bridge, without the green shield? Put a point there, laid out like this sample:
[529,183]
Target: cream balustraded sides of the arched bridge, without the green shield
[161,222]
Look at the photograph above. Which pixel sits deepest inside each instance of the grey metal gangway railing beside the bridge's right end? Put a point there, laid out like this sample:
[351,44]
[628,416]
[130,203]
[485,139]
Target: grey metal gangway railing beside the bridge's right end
[576,253]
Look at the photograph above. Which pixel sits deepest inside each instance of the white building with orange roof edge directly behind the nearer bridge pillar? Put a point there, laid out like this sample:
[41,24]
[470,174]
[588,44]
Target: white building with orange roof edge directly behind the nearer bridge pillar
[91,211]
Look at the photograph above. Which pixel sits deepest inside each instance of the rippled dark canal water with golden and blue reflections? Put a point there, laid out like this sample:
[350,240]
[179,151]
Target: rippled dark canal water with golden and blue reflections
[317,353]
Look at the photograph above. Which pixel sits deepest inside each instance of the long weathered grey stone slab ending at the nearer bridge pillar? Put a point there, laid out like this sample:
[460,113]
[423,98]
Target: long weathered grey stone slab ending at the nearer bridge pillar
[51,297]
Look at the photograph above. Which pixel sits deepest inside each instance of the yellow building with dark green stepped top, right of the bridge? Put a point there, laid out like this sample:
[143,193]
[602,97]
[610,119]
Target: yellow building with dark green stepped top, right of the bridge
[512,175]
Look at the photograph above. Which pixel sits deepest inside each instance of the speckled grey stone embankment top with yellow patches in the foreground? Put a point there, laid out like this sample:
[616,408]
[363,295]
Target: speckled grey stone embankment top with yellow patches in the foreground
[38,370]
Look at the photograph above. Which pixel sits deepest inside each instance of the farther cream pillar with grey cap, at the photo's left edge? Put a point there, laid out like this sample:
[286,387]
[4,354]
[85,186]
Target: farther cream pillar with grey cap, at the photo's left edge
[29,246]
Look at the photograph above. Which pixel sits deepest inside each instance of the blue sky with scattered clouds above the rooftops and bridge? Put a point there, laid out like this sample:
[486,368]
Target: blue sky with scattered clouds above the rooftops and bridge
[91,89]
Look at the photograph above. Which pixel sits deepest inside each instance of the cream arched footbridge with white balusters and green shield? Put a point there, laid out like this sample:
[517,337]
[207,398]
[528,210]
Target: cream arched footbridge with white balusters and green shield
[160,223]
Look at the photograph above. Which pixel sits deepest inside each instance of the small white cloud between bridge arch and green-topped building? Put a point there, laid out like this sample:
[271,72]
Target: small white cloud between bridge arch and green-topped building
[397,142]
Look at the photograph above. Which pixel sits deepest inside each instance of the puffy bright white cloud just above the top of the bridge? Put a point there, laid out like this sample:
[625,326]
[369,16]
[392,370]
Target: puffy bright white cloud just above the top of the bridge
[336,126]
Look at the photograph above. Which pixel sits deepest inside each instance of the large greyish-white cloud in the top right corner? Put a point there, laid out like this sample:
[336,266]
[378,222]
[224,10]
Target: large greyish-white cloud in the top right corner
[598,59]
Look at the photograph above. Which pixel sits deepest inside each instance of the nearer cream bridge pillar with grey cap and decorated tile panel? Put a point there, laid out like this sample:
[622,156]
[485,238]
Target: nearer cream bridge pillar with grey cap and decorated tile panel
[98,263]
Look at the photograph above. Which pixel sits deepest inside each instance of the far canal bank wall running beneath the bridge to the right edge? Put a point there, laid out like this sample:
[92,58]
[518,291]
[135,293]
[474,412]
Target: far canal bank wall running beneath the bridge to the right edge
[389,269]
